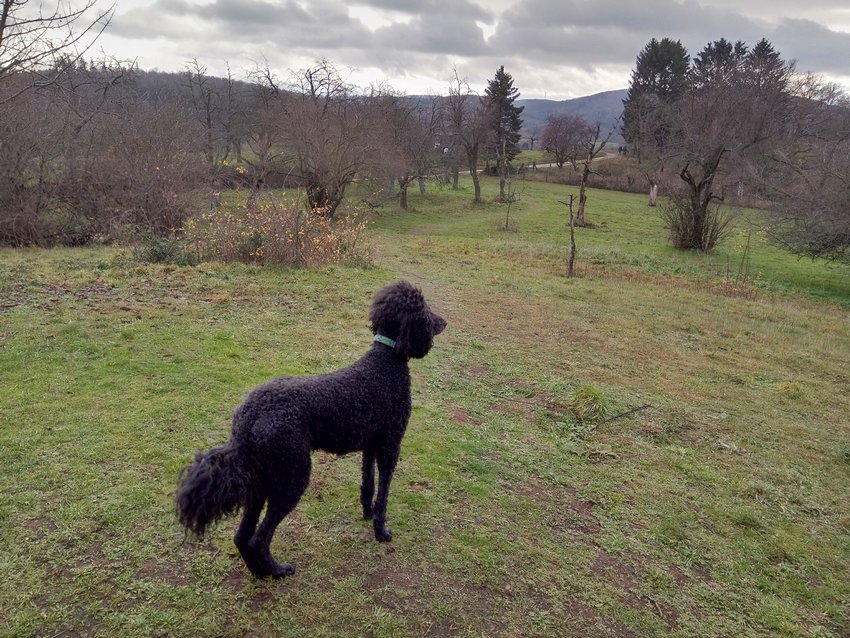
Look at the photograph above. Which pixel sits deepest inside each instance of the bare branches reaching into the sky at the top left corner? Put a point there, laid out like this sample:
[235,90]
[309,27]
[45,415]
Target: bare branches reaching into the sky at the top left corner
[32,40]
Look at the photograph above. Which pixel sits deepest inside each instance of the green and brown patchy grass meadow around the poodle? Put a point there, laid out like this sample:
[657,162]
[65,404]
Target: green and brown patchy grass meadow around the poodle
[718,508]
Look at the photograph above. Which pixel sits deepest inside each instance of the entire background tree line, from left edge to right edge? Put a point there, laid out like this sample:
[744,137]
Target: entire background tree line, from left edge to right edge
[95,149]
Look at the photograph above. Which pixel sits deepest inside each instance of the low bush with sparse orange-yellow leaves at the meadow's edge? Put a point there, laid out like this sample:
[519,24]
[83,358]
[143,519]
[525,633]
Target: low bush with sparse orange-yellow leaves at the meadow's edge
[275,231]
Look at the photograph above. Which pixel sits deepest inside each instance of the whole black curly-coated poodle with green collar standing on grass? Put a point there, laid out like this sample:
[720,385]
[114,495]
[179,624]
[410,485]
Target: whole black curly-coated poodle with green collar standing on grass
[364,407]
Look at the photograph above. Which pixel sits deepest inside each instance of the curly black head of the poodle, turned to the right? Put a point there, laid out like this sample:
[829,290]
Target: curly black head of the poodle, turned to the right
[399,312]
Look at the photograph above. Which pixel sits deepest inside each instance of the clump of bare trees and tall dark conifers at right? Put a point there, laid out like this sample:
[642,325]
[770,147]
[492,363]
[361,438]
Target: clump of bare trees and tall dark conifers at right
[741,118]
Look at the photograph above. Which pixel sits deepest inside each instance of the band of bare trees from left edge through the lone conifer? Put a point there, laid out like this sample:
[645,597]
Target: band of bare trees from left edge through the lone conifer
[90,149]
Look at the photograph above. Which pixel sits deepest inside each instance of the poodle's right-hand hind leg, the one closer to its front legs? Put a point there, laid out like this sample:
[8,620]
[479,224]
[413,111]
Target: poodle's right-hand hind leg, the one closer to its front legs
[287,483]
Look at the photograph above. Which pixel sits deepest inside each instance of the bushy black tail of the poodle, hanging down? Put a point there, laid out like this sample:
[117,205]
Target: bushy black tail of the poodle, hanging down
[215,485]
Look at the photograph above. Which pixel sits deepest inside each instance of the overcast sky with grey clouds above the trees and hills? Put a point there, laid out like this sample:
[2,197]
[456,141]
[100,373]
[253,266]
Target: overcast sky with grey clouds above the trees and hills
[556,49]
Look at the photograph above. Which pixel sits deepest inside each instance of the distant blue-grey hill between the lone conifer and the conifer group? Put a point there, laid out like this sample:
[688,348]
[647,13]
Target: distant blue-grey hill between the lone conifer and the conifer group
[604,108]
